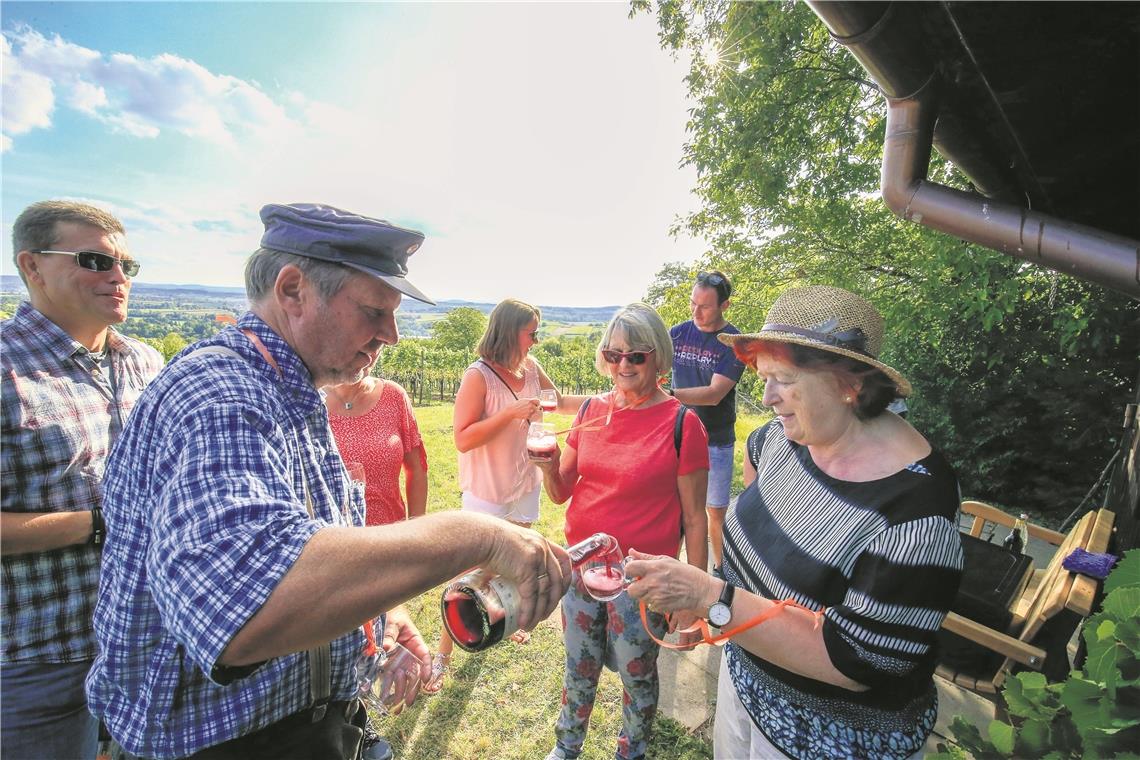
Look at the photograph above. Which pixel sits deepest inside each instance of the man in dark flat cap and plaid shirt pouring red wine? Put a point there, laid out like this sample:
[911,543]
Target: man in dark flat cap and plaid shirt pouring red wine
[240,587]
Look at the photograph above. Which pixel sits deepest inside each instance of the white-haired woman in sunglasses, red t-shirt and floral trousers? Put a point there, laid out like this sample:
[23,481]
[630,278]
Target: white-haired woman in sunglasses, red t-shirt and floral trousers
[625,477]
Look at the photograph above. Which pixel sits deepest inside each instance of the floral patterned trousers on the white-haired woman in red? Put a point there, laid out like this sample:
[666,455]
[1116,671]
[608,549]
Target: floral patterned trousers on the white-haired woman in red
[607,634]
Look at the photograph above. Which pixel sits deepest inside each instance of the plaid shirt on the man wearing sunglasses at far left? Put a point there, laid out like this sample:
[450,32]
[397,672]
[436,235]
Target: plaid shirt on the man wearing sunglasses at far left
[60,418]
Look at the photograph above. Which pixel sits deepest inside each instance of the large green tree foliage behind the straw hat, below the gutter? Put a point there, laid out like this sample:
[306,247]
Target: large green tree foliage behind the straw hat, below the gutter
[1020,374]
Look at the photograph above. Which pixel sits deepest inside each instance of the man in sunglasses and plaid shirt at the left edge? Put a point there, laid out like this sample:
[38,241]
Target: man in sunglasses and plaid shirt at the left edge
[69,383]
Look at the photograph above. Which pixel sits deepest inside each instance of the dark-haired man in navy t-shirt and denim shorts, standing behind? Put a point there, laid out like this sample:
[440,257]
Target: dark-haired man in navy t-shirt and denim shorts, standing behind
[705,375]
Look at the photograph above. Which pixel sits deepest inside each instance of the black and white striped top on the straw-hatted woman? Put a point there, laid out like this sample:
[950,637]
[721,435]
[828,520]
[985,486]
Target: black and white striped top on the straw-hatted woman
[883,558]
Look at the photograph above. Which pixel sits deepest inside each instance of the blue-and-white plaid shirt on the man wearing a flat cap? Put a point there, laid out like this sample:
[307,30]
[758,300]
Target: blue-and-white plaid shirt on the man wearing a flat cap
[205,504]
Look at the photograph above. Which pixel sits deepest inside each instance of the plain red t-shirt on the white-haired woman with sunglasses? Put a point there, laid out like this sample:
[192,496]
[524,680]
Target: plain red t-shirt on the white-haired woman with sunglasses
[628,476]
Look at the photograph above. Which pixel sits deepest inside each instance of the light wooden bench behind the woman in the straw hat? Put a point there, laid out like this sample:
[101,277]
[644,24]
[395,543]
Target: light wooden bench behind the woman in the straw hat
[1045,614]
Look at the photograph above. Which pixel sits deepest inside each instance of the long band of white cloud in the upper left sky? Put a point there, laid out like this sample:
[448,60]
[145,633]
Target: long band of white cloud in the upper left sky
[142,97]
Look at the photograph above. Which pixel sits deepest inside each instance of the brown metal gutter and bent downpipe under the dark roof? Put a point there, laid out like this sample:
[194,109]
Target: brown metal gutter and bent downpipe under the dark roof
[891,48]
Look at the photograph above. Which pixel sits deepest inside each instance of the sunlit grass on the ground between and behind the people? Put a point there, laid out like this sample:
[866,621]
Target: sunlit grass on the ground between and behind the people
[503,704]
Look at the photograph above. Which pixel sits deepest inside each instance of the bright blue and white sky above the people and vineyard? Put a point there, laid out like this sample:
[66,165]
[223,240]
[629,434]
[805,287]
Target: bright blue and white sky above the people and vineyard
[538,145]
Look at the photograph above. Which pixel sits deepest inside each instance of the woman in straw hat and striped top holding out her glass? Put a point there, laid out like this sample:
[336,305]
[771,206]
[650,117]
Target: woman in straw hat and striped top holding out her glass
[850,513]
